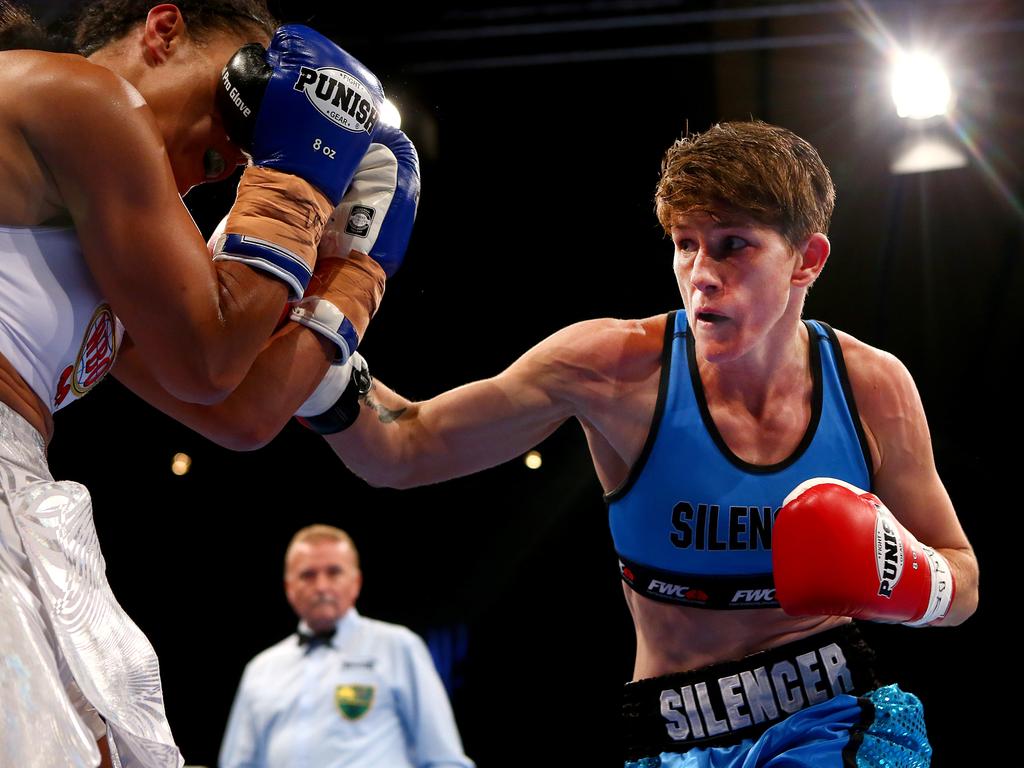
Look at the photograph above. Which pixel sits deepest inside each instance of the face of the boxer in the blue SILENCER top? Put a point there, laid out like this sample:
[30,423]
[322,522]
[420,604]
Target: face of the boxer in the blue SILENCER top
[735,276]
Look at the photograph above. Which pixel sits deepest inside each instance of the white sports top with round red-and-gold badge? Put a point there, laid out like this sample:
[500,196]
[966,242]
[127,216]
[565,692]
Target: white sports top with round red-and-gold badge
[56,328]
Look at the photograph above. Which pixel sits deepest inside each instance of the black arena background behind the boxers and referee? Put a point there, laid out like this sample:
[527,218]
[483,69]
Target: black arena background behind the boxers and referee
[541,130]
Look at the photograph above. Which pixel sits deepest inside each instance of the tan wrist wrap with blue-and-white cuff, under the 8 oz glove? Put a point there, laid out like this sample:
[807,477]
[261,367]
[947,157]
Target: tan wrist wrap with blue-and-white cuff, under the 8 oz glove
[276,226]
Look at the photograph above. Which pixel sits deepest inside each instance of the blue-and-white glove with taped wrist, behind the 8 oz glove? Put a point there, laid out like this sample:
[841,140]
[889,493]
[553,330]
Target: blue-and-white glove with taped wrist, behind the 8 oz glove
[364,243]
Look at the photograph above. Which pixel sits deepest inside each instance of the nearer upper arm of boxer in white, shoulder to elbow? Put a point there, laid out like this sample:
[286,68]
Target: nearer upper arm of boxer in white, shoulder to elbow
[146,254]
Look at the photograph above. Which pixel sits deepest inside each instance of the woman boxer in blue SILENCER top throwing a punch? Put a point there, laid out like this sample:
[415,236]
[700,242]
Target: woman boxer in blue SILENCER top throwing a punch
[700,425]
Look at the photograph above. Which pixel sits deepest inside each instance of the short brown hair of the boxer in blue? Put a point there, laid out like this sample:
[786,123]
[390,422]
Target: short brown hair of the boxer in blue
[754,169]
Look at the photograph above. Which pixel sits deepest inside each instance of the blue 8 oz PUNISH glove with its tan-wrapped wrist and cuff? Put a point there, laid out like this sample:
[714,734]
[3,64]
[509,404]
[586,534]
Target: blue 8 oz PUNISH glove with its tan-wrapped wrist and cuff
[306,112]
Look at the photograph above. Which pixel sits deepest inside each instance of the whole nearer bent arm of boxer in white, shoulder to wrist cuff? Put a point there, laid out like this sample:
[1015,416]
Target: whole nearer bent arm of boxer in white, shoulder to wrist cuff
[199,326]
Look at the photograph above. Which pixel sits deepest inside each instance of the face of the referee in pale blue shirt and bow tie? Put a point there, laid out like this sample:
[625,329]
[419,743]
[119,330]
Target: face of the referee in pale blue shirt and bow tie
[322,581]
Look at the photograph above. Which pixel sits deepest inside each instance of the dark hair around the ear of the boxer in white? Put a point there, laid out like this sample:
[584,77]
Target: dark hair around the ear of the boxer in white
[106,21]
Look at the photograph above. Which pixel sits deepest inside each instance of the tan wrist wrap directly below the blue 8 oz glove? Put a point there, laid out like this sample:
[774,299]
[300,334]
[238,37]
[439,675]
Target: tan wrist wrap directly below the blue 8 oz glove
[281,208]
